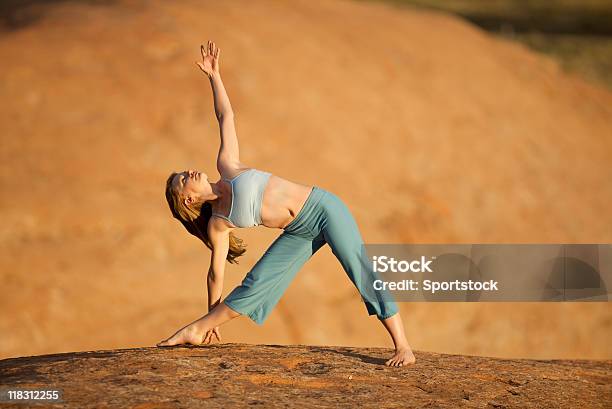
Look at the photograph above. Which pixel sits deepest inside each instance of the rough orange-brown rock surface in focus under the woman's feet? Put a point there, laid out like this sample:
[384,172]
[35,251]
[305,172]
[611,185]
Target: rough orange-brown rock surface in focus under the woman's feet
[241,375]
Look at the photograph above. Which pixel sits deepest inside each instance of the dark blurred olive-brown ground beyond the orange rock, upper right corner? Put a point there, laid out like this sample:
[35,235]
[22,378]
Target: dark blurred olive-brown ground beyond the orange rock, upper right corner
[577,33]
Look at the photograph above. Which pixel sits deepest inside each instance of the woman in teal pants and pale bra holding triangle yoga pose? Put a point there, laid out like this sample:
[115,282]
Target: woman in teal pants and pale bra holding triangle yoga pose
[247,197]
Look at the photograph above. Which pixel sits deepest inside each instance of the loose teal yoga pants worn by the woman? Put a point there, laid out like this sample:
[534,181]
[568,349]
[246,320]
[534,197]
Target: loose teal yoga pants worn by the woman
[324,218]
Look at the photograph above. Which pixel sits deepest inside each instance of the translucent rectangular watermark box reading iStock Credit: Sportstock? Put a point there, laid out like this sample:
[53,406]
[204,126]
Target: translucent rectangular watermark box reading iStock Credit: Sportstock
[486,272]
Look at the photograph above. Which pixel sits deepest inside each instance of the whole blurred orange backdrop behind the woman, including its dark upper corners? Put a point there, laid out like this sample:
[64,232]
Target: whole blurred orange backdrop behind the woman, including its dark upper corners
[436,122]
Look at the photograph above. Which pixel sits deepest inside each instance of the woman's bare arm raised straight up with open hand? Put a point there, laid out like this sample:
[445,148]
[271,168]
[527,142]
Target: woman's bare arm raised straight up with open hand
[229,155]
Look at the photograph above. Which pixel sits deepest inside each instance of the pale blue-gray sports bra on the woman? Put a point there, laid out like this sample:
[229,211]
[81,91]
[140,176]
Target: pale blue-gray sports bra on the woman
[247,195]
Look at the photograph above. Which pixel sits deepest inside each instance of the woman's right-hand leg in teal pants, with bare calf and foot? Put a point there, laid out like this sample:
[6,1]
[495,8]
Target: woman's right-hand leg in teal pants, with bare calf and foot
[343,235]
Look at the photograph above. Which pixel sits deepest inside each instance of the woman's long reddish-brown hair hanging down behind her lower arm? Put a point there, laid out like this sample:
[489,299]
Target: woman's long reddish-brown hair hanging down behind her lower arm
[195,219]
